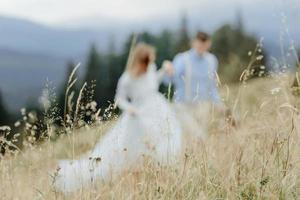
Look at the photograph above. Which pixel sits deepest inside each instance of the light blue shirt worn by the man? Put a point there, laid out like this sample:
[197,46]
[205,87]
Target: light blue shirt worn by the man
[202,85]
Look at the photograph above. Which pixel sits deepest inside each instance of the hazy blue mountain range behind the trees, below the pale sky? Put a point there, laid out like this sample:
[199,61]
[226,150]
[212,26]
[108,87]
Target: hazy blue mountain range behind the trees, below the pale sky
[31,53]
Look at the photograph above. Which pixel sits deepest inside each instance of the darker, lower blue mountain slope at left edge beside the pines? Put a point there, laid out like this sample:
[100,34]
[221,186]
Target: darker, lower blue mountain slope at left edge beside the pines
[23,75]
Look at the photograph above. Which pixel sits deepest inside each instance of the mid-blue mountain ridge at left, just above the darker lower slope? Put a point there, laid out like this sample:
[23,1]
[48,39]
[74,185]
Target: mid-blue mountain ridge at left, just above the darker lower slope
[26,36]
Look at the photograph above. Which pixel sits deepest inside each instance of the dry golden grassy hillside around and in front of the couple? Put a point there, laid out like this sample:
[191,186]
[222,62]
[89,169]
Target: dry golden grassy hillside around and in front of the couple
[259,159]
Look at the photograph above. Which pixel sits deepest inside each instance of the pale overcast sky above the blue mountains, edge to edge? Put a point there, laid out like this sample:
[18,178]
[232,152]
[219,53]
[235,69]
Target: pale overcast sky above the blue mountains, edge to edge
[70,12]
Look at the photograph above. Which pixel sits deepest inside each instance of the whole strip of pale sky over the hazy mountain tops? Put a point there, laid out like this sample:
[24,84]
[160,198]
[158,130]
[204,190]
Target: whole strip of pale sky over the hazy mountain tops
[88,13]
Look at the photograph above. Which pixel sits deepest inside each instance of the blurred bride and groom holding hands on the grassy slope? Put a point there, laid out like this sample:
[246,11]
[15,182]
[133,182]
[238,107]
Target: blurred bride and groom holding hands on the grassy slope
[150,126]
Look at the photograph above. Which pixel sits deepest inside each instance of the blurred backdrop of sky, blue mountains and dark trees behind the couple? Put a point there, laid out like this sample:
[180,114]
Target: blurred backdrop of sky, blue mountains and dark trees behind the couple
[42,40]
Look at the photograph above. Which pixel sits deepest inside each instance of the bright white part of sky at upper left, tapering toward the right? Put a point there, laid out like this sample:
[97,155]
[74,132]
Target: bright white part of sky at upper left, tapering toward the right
[57,12]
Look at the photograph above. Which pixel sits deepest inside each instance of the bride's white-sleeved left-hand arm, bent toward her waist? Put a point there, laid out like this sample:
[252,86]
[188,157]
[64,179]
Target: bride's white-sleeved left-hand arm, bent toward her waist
[121,97]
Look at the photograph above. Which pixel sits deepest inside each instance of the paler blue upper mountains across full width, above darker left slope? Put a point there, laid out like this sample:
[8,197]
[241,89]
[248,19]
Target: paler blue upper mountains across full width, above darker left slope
[263,20]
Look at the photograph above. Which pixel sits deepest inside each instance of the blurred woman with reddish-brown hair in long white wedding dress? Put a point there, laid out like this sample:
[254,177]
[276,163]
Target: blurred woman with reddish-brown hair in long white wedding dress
[147,128]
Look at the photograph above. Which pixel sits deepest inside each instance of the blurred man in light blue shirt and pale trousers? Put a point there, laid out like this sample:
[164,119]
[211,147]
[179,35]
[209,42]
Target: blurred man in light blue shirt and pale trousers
[194,75]
